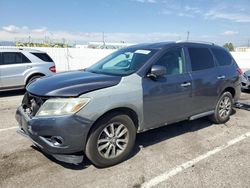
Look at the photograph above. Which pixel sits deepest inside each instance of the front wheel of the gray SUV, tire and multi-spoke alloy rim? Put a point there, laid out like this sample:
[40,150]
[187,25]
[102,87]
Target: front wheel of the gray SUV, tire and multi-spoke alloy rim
[105,150]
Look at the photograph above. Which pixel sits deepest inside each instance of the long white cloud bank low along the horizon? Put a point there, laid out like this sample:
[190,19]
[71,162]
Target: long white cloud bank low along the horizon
[12,32]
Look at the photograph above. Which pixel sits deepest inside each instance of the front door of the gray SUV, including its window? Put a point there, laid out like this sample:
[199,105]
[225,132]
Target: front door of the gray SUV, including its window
[168,98]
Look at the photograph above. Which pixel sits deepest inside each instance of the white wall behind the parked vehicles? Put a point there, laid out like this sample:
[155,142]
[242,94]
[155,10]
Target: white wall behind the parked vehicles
[79,58]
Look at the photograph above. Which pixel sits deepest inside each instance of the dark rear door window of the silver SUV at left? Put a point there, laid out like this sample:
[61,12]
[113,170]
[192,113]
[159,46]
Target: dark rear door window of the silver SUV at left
[13,58]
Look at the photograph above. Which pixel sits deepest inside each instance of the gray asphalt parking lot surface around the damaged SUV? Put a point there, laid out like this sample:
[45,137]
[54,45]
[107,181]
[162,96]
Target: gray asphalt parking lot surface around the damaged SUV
[156,152]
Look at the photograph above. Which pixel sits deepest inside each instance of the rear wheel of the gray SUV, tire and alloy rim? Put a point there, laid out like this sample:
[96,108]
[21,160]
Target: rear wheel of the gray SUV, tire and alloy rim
[223,109]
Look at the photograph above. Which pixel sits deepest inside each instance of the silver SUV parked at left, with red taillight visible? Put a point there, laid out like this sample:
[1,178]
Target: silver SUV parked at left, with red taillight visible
[18,67]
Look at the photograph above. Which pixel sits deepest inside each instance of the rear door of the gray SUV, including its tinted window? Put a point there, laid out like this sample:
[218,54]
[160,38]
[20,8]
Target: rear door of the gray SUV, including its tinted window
[205,81]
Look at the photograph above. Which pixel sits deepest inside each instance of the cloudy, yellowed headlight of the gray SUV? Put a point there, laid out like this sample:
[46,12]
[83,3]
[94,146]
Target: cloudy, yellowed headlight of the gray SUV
[61,106]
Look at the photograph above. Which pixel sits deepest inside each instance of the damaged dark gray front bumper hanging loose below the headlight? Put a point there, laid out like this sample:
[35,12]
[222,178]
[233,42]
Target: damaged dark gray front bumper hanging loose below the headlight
[60,136]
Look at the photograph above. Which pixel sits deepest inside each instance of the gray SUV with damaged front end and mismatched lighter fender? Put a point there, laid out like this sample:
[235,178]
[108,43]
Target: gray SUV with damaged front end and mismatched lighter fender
[98,111]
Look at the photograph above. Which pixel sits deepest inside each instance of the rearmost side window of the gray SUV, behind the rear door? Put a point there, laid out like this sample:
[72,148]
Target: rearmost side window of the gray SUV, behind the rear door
[222,57]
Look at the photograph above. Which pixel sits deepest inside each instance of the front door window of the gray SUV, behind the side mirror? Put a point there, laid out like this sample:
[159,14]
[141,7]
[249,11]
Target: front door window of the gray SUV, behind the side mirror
[173,61]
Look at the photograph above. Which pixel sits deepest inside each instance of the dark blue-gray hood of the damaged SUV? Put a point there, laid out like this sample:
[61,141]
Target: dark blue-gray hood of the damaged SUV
[71,84]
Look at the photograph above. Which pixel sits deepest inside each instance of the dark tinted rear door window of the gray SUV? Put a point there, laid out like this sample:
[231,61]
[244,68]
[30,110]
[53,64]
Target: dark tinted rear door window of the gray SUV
[201,58]
